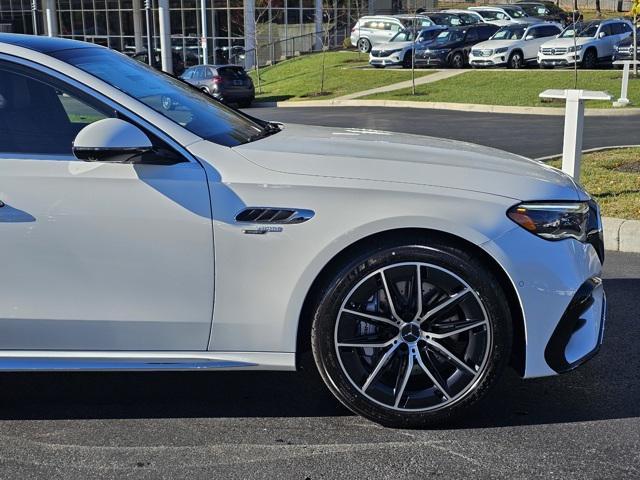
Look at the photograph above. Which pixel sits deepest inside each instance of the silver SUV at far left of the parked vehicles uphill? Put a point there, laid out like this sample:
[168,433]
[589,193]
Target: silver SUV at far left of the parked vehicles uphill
[374,29]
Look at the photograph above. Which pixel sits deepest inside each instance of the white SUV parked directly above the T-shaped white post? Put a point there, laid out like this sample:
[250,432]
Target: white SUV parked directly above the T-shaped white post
[594,43]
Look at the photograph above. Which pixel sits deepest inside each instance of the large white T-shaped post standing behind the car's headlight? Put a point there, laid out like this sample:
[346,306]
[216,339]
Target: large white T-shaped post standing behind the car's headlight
[574,125]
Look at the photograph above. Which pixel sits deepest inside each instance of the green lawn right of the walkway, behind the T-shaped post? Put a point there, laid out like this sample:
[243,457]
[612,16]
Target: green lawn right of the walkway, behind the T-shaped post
[499,87]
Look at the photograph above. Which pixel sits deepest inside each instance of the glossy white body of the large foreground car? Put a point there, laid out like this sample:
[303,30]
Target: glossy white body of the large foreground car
[156,261]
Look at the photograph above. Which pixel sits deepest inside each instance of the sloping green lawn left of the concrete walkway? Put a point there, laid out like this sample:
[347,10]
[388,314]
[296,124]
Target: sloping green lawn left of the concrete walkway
[299,78]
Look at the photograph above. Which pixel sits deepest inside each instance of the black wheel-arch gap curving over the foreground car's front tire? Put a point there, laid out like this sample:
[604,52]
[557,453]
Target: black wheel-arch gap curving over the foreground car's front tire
[322,279]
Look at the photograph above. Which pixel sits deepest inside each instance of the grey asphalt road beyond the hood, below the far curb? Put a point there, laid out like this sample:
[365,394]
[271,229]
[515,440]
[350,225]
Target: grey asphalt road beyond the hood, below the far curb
[530,135]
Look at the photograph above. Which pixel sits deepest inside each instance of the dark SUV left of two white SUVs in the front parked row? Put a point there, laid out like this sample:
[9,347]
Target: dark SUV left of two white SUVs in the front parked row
[451,47]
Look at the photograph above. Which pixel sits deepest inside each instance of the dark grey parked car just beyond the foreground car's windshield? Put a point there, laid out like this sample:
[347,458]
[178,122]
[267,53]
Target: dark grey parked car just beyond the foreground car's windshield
[227,83]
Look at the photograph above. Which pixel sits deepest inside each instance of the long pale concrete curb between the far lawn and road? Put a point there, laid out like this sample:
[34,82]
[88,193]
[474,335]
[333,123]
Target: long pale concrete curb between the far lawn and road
[467,107]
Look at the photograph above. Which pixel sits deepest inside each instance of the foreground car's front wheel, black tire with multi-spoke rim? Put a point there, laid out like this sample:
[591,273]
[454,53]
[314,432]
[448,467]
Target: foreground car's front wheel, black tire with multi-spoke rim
[382,390]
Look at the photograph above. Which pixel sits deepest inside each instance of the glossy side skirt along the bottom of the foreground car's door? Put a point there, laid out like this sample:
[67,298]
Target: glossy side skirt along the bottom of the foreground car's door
[20,361]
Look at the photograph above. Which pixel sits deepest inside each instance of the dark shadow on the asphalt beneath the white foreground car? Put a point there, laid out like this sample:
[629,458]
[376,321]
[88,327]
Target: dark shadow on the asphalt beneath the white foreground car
[605,388]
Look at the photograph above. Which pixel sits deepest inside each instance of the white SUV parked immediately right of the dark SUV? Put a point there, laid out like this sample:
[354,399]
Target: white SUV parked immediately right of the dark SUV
[513,45]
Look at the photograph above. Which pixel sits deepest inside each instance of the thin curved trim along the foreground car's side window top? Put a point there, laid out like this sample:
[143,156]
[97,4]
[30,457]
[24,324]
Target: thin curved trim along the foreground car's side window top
[118,108]
